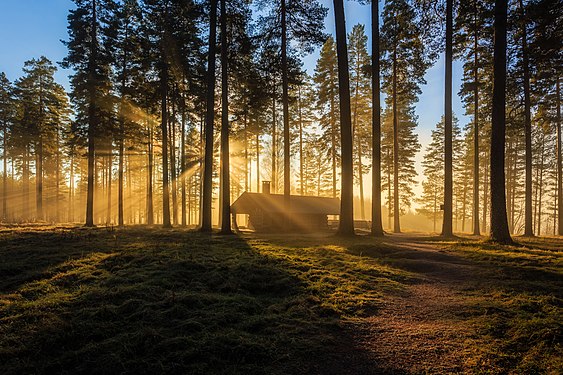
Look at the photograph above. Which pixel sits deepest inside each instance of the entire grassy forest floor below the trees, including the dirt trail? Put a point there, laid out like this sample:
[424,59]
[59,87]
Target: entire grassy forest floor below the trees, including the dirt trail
[143,300]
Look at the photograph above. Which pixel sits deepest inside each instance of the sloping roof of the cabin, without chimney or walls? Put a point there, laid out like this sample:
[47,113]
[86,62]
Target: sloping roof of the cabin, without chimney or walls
[274,203]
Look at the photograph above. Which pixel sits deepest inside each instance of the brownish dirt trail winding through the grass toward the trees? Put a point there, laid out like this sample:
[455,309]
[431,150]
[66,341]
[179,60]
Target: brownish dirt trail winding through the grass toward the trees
[423,329]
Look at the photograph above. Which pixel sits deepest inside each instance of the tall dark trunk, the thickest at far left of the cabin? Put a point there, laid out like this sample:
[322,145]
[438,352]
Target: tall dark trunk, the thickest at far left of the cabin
[92,116]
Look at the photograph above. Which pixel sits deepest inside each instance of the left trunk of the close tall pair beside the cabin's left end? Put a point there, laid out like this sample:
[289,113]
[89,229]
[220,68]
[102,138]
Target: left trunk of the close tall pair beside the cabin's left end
[207,187]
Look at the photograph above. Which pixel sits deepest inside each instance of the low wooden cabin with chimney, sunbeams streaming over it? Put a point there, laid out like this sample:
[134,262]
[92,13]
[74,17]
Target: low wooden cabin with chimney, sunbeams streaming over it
[267,212]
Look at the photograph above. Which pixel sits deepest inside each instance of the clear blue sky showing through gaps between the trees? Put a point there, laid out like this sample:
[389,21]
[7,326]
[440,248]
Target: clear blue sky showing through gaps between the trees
[32,28]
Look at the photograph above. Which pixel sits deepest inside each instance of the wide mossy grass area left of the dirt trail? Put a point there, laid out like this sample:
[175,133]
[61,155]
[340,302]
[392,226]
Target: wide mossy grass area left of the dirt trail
[149,301]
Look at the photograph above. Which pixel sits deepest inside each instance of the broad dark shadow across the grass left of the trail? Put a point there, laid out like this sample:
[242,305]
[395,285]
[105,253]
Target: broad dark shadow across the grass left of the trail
[169,302]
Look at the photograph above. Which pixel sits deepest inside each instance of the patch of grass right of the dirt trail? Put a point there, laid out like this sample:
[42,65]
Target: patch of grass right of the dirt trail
[520,291]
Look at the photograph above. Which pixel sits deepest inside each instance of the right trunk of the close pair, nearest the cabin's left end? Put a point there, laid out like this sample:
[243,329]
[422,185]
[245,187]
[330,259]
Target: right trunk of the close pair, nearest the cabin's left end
[225,163]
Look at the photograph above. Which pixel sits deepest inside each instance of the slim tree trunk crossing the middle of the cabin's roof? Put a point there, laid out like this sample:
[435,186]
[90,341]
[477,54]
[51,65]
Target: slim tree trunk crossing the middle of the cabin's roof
[285,102]
